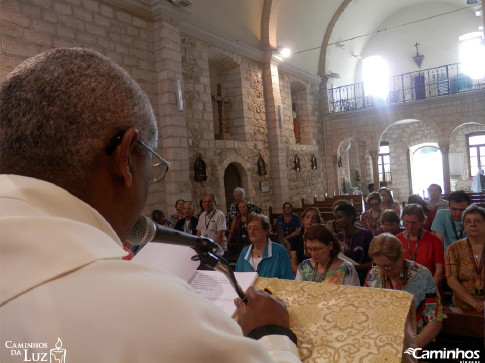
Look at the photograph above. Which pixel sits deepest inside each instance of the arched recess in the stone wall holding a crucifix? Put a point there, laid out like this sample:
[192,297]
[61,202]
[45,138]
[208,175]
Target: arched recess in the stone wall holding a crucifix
[226,95]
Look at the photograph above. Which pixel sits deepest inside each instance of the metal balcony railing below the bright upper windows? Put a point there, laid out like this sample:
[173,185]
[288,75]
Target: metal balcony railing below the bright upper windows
[427,83]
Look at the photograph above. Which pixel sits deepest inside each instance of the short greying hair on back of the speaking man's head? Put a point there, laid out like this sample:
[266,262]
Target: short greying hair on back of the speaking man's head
[60,109]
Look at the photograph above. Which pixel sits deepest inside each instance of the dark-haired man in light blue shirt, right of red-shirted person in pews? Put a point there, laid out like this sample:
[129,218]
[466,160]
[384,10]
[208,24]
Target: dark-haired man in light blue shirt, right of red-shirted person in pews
[447,224]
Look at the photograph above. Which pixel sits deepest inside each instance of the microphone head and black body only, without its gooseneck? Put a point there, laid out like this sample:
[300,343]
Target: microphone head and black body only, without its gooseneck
[145,230]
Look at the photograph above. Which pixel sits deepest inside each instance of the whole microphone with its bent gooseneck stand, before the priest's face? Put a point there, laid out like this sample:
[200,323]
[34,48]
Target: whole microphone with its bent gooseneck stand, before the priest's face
[145,230]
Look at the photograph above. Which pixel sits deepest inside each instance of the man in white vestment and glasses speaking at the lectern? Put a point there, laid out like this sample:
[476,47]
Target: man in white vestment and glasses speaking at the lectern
[78,153]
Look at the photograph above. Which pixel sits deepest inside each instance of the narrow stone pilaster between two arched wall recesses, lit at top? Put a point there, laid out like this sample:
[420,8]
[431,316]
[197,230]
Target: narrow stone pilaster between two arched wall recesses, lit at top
[277,147]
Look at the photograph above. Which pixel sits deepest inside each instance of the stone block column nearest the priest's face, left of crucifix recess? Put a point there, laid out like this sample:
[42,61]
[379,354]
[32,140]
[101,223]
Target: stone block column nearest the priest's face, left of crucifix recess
[172,128]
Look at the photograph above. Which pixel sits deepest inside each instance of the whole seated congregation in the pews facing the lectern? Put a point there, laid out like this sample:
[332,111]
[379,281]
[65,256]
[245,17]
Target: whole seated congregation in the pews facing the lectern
[432,249]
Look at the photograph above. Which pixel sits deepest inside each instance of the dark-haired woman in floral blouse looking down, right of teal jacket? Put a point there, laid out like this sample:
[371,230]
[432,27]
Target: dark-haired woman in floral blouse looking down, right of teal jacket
[325,266]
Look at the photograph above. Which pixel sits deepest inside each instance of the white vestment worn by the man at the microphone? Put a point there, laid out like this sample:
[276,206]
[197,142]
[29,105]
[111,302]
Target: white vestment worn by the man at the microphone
[62,277]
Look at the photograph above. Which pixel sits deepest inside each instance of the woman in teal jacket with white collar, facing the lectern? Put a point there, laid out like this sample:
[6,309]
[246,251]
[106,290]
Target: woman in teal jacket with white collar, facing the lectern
[267,258]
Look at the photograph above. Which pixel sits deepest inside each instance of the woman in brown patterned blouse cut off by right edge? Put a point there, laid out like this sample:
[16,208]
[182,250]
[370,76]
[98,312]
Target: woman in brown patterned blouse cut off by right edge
[465,272]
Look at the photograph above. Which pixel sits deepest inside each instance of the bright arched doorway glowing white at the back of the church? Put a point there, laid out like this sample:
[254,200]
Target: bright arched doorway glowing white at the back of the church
[426,168]
